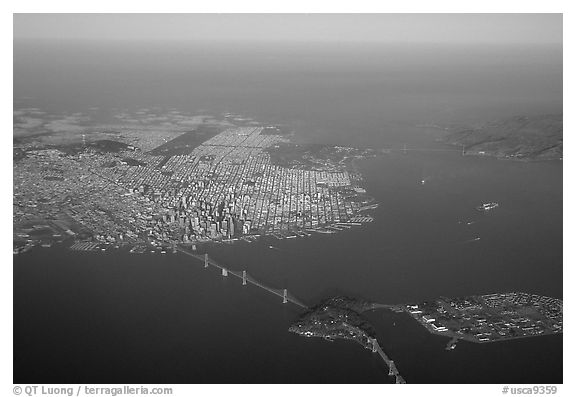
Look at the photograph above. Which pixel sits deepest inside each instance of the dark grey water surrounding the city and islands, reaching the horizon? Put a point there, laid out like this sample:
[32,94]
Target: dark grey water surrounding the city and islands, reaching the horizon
[116,317]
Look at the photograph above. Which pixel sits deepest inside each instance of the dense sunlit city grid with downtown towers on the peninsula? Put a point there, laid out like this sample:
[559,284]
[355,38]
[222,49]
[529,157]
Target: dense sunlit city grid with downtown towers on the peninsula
[225,188]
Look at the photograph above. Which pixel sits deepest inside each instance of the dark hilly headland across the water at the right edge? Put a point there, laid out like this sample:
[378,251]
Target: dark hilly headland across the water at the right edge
[520,137]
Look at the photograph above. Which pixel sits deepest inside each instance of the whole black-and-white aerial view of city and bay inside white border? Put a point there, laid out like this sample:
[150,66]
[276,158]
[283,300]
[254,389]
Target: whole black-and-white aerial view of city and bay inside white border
[243,211]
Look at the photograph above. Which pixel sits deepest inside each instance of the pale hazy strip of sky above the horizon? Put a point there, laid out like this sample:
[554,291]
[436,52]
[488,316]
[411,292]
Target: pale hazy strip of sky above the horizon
[439,28]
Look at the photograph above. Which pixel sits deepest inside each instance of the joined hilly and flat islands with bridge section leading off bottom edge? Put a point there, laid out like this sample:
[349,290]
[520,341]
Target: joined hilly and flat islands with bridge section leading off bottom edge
[477,319]
